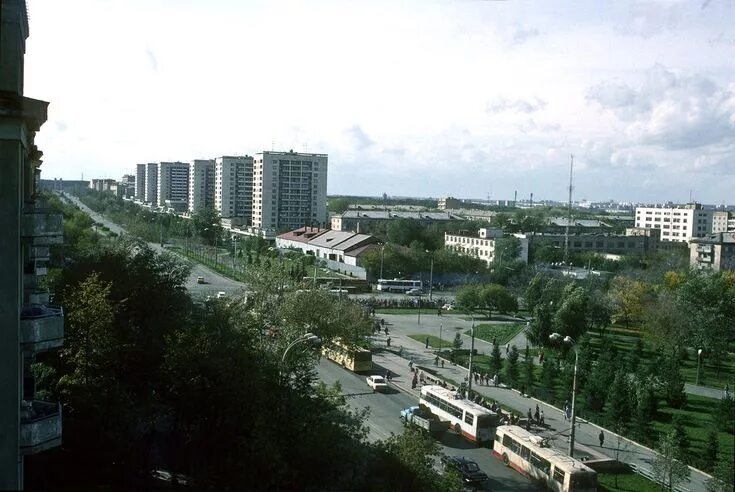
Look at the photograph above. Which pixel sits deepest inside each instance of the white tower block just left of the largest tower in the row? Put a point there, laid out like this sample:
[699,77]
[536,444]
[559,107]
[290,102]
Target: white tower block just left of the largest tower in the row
[233,186]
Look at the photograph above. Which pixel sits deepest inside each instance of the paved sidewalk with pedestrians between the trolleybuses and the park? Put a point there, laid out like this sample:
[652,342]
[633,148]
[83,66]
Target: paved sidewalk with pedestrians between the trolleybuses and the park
[586,435]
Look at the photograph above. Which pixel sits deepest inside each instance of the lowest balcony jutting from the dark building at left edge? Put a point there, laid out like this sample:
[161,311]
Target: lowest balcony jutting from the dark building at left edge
[40,426]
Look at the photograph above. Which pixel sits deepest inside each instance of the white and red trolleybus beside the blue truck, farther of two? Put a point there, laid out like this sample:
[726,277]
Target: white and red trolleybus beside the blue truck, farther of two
[473,421]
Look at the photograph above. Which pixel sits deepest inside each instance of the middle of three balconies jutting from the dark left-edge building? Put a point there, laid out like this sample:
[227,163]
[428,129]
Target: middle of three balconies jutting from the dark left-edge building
[42,327]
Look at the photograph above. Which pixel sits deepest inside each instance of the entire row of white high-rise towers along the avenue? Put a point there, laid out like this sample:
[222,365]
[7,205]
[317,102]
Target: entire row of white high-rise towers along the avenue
[267,191]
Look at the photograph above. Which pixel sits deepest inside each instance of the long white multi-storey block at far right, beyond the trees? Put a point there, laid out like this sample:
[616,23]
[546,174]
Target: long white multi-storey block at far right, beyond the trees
[676,223]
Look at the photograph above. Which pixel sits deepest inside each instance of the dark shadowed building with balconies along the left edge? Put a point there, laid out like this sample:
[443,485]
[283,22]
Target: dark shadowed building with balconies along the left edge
[28,324]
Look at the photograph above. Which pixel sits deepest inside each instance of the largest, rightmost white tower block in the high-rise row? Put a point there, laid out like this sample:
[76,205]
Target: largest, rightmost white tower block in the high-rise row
[289,190]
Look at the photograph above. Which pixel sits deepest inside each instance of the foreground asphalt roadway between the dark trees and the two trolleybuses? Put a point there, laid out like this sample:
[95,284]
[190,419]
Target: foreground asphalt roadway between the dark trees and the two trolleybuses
[383,420]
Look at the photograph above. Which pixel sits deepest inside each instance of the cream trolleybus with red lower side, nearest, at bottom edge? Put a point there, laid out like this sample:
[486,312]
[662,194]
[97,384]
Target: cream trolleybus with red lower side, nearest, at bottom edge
[530,455]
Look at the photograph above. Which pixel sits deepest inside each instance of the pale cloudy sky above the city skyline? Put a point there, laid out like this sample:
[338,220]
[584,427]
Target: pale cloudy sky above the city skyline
[463,98]
